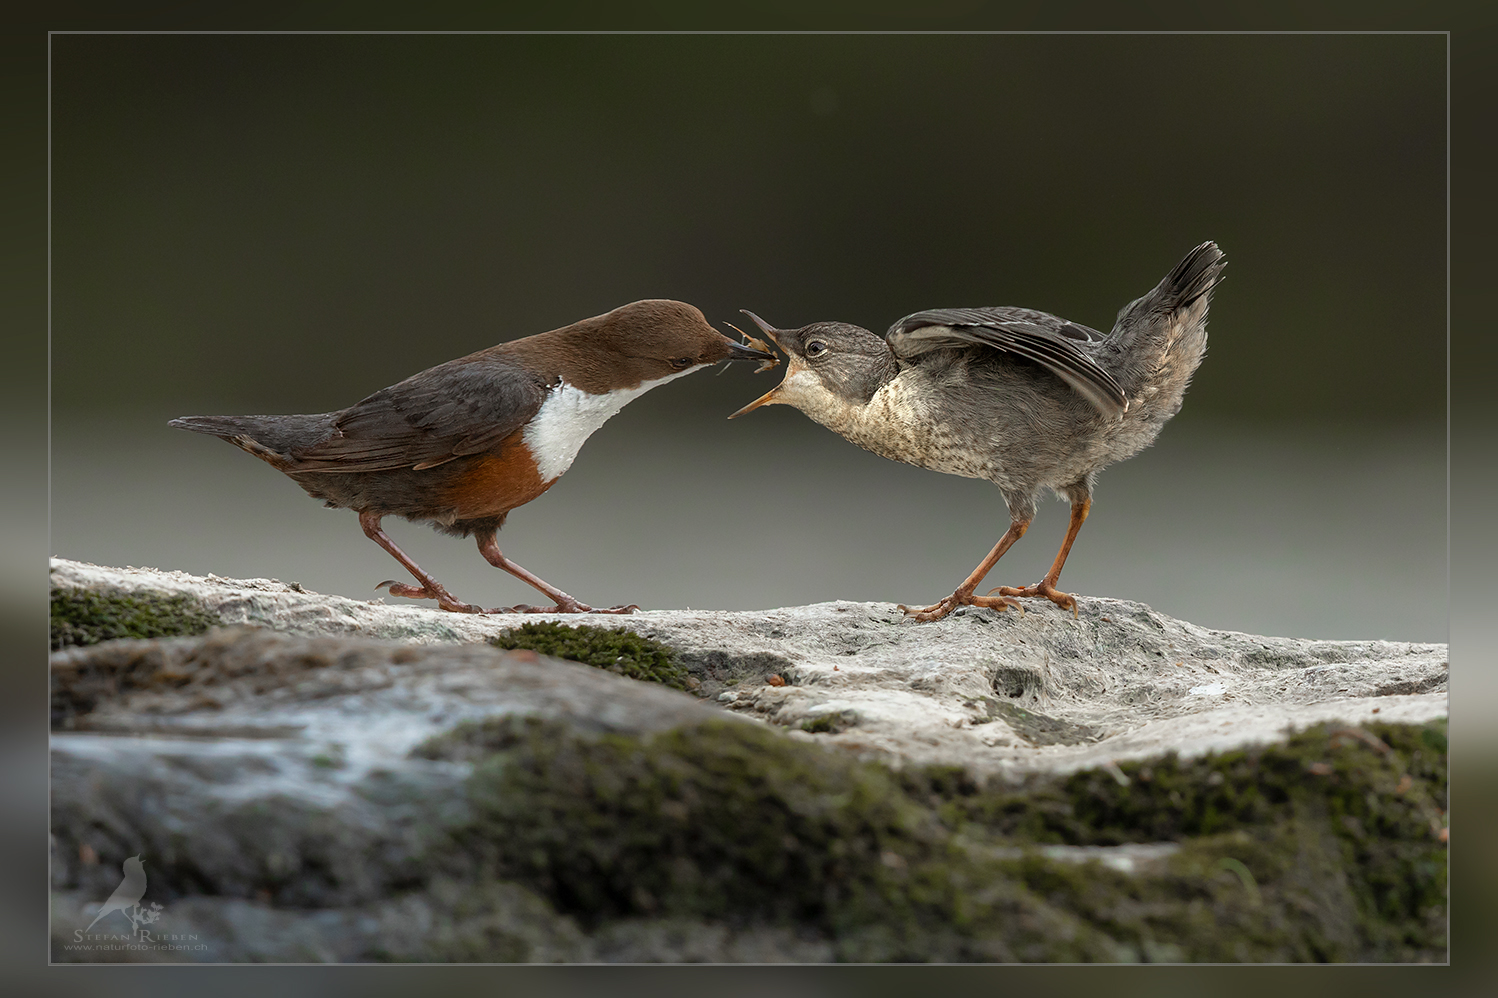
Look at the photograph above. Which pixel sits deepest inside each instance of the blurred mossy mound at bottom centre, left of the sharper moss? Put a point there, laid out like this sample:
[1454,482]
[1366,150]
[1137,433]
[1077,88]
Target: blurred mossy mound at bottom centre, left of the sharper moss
[739,823]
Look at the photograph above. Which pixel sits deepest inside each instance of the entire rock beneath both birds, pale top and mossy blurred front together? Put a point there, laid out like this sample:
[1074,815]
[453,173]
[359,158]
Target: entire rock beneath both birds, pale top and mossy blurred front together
[317,778]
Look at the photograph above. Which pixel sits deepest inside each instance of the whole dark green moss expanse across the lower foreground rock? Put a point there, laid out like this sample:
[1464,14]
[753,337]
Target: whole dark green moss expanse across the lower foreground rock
[1328,847]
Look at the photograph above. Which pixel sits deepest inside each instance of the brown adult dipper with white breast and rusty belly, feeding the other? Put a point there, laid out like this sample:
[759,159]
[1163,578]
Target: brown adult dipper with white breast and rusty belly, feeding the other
[465,443]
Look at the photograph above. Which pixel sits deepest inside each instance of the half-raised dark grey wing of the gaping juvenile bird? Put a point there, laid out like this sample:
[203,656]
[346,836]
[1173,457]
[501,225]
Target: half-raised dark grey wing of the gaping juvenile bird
[1046,339]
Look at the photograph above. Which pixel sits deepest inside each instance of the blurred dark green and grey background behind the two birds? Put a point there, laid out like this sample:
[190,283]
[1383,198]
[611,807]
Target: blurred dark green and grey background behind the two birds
[285,224]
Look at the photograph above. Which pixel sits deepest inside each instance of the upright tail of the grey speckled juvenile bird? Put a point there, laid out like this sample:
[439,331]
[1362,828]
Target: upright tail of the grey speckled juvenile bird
[1160,339]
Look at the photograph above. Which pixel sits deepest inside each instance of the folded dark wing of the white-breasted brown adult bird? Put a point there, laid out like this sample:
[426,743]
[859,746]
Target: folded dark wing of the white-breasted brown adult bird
[465,407]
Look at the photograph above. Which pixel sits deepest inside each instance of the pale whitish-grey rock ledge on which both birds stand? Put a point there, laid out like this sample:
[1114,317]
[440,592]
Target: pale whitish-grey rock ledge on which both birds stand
[983,690]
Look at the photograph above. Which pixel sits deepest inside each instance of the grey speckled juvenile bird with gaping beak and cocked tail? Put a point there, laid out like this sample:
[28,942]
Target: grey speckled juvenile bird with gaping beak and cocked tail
[1024,399]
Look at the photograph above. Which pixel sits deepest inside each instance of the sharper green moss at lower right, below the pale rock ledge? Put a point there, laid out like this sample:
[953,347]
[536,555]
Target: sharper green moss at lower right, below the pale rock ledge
[1341,831]
